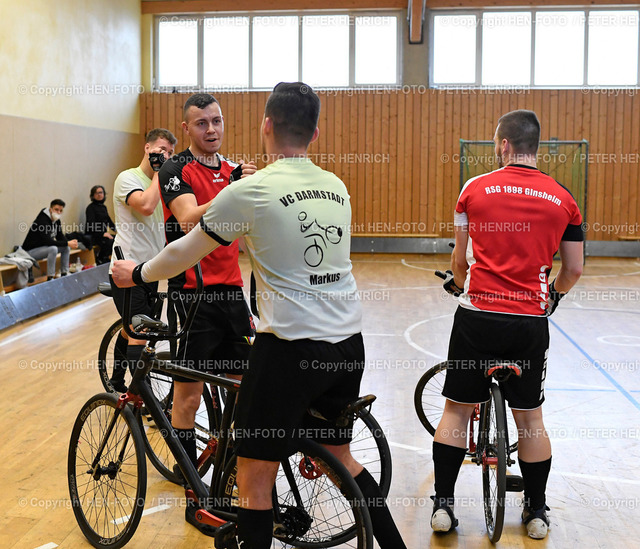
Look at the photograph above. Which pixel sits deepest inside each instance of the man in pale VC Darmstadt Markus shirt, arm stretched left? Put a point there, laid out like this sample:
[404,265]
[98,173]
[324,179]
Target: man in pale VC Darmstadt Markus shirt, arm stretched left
[295,218]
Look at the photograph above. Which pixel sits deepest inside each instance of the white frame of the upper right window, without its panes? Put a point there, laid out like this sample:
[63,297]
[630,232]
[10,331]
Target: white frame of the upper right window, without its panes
[533,10]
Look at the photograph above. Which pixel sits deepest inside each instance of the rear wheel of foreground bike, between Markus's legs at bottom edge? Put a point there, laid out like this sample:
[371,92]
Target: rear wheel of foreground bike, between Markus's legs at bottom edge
[323,515]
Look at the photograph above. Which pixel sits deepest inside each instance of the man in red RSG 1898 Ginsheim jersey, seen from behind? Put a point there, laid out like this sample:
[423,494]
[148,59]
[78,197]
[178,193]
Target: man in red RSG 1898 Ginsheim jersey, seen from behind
[508,225]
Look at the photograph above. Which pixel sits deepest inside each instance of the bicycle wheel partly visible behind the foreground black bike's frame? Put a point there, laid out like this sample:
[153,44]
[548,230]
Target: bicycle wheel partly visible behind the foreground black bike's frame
[207,424]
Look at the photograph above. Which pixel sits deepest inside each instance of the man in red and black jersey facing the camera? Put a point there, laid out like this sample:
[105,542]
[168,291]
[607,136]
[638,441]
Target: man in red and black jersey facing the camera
[189,181]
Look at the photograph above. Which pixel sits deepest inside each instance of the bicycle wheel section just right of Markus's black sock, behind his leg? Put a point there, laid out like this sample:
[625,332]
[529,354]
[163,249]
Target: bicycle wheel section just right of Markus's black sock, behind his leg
[370,448]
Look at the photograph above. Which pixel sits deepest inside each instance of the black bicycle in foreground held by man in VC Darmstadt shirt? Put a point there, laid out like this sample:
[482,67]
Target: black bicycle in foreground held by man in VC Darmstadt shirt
[107,470]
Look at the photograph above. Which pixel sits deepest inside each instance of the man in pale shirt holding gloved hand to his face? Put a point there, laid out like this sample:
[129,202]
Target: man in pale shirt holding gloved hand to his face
[140,234]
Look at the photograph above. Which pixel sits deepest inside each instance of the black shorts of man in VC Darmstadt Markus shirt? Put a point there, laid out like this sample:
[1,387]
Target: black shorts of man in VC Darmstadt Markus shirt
[285,380]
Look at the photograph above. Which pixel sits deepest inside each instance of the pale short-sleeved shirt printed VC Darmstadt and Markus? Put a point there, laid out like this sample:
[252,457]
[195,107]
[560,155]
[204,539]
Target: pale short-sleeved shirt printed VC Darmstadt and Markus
[296,219]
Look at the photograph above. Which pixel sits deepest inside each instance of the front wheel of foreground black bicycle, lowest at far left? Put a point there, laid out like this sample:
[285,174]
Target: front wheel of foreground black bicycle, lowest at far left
[108,508]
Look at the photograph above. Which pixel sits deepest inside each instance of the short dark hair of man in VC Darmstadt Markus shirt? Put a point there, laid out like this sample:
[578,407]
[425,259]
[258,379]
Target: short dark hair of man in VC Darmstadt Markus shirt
[294,108]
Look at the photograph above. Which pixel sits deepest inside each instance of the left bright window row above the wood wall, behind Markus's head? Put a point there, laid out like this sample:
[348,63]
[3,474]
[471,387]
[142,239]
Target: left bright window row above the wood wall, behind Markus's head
[258,51]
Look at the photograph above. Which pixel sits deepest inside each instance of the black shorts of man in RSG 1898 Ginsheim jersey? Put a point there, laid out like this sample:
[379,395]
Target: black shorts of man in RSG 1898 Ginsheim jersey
[479,338]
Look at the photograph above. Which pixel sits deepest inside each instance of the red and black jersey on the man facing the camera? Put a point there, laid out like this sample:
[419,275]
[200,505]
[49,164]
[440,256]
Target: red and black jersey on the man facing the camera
[183,174]
